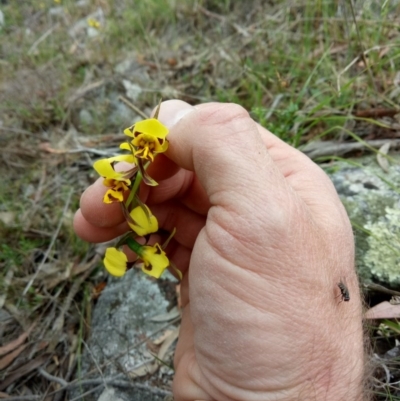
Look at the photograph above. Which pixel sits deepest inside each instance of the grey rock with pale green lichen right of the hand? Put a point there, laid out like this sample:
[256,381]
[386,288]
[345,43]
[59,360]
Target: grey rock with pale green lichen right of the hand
[372,200]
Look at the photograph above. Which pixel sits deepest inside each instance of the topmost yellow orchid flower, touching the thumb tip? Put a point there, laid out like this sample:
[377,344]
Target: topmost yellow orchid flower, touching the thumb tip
[149,138]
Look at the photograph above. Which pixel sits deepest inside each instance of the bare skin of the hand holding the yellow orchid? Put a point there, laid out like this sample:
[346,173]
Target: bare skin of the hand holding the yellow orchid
[262,240]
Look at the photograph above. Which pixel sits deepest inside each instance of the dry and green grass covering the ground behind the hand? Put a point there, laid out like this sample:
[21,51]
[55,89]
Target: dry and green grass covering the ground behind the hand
[296,66]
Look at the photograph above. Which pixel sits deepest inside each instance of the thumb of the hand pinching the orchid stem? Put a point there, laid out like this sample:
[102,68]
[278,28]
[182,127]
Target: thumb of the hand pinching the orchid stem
[223,146]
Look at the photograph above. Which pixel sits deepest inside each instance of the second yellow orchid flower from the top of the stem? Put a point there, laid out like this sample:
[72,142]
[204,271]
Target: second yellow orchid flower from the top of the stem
[117,182]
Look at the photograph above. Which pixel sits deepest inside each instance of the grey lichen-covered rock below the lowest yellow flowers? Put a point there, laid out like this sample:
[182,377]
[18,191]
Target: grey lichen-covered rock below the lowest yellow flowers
[121,326]
